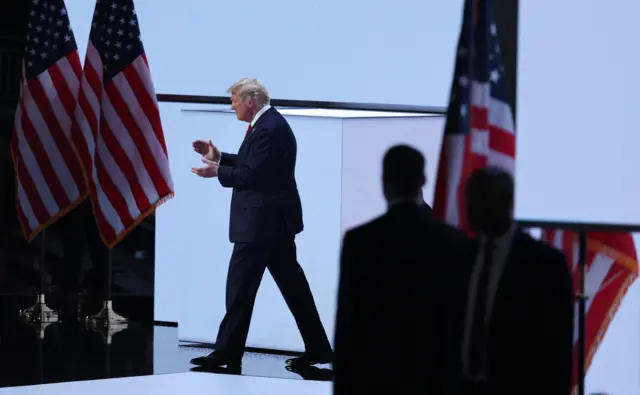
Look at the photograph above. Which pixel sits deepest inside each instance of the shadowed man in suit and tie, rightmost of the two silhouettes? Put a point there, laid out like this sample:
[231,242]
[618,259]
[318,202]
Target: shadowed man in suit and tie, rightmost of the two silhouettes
[516,315]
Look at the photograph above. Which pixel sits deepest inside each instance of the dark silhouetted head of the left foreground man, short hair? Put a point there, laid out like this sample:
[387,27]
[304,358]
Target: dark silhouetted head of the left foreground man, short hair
[403,173]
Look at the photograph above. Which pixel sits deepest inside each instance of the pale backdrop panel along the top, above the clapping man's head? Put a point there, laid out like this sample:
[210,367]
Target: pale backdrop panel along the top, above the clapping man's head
[317,50]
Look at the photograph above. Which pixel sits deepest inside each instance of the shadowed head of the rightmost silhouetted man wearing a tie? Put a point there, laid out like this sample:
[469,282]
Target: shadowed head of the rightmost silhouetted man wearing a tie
[489,194]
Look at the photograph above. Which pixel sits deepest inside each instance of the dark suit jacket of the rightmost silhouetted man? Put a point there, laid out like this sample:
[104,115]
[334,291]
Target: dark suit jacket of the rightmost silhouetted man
[530,345]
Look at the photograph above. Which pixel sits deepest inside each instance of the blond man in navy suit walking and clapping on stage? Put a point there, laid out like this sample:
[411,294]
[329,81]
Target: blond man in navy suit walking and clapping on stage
[266,214]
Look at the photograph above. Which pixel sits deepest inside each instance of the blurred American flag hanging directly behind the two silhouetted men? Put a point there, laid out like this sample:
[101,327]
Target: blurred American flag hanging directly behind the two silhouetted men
[480,130]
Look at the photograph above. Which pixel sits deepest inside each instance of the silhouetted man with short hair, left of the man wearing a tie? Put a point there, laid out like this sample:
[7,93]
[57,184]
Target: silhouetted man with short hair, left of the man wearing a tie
[393,272]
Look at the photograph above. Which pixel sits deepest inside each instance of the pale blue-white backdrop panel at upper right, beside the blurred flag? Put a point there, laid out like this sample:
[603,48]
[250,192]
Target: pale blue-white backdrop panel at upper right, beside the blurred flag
[578,134]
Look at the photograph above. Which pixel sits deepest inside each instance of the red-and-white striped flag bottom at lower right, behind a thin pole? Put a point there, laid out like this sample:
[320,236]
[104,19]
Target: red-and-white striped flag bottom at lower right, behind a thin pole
[611,268]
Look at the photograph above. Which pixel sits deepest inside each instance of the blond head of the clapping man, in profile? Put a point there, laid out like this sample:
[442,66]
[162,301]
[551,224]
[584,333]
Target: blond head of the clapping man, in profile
[248,96]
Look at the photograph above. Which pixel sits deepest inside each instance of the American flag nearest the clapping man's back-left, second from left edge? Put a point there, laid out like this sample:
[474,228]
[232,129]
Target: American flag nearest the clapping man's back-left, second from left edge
[119,134]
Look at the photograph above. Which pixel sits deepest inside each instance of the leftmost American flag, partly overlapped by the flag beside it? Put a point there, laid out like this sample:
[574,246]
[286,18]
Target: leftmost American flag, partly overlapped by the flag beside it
[49,176]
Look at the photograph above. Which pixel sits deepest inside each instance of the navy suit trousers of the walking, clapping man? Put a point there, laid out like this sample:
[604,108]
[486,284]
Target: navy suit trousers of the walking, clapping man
[246,268]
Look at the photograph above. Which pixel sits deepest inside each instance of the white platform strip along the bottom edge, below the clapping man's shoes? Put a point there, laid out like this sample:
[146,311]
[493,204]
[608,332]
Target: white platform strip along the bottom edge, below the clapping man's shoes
[182,383]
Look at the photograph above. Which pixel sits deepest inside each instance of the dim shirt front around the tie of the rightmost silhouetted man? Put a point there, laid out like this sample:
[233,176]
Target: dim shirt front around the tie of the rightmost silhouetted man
[502,248]
